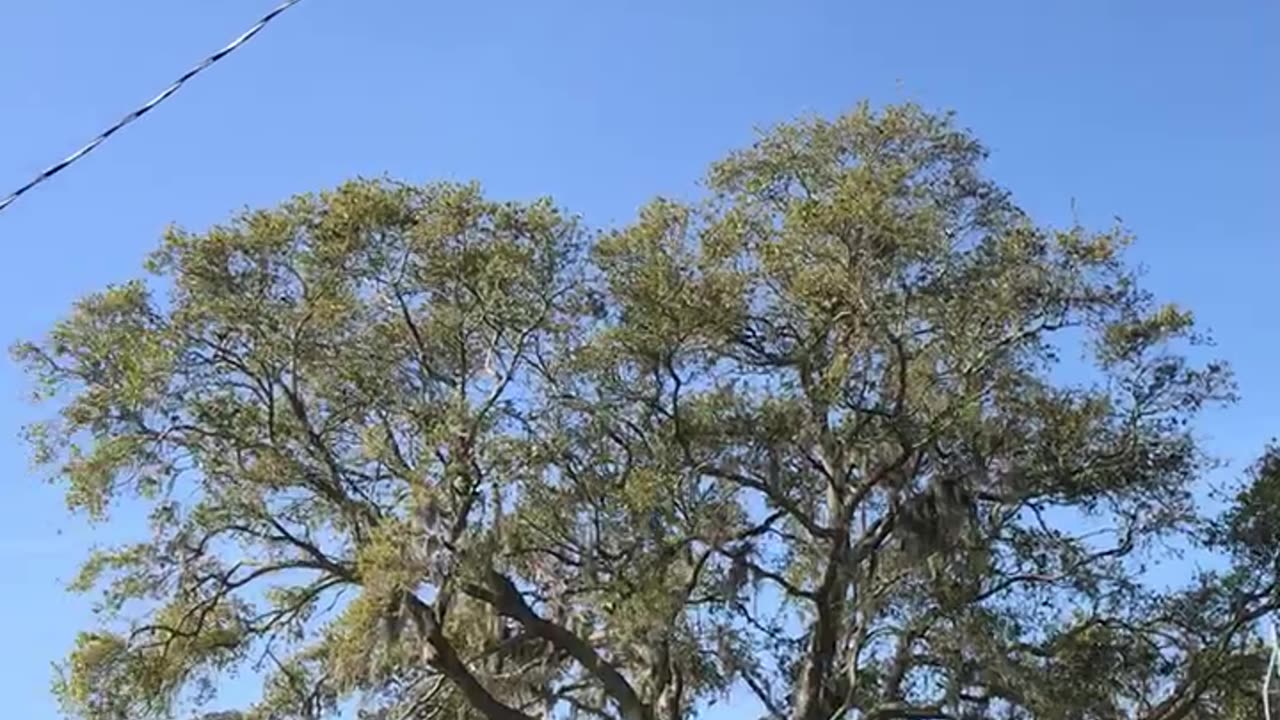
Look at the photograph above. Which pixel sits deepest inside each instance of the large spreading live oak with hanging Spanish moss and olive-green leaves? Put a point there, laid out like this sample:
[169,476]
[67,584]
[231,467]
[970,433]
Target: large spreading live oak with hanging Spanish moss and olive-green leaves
[810,438]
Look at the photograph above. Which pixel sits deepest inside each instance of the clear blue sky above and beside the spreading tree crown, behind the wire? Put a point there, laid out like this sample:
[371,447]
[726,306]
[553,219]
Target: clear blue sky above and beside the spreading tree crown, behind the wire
[1164,113]
